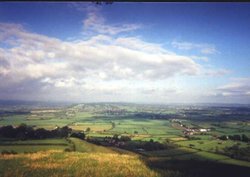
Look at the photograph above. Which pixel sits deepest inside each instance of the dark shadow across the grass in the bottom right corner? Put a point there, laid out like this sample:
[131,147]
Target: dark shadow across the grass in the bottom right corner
[196,168]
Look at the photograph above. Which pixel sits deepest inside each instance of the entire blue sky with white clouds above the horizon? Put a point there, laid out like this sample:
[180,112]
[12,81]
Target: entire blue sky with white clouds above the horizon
[125,52]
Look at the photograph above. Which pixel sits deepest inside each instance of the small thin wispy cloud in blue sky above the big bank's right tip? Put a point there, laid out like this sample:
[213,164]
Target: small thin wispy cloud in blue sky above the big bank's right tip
[203,48]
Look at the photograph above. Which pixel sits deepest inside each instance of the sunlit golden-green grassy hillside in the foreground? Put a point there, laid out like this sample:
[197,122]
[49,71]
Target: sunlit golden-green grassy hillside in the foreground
[92,160]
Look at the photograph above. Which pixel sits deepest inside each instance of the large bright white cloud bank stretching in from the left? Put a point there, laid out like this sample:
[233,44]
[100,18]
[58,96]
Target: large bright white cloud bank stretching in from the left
[32,62]
